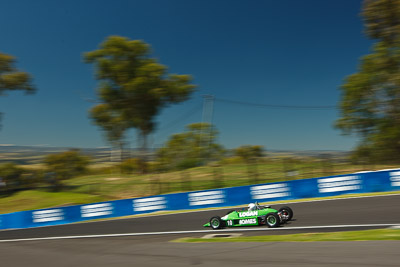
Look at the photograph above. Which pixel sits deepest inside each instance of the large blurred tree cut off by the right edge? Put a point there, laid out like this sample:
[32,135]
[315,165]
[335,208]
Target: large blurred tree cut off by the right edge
[370,102]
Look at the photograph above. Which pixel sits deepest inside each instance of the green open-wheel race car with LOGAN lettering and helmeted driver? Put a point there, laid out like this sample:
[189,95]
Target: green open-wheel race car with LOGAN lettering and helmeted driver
[255,214]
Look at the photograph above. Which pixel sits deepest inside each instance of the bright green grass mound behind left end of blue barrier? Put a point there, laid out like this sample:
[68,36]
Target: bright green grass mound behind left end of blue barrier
[35,199]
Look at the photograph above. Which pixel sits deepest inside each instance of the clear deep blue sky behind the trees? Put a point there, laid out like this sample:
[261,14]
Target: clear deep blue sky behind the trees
[258,51]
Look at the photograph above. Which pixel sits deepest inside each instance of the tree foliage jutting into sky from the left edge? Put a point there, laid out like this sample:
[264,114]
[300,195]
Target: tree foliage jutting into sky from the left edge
[12,79]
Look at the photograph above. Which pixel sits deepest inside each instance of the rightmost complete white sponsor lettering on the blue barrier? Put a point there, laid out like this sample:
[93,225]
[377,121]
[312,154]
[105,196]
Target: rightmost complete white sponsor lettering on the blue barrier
[339,184]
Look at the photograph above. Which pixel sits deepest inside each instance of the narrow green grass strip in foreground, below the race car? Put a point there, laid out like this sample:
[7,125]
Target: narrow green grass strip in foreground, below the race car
[366,235]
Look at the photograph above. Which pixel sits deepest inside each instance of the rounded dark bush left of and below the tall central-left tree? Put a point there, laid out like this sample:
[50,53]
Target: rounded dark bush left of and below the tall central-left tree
[65,165]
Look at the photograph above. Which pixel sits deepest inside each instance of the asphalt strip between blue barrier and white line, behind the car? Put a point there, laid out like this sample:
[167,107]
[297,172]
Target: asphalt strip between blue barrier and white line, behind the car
[370,210]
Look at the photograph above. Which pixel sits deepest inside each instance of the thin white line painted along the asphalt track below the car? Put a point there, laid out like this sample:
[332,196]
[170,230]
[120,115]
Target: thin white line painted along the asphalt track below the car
[195,231]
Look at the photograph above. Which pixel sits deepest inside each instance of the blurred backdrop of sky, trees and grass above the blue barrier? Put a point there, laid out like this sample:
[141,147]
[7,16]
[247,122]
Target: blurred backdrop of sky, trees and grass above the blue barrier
[105,100]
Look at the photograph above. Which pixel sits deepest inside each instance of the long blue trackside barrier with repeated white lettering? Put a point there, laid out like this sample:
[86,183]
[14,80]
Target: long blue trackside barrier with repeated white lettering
[378,181]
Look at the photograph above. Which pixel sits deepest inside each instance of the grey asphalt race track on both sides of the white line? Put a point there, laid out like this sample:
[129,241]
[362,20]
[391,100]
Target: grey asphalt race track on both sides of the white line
[142,246]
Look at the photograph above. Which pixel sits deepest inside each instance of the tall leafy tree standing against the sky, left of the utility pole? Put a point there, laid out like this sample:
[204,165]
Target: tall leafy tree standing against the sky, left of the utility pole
[135,87]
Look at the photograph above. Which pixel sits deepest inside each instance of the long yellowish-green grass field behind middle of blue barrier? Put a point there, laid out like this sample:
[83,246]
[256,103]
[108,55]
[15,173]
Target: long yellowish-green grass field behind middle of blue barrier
[115,186]
